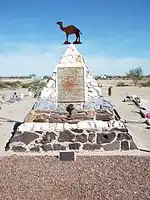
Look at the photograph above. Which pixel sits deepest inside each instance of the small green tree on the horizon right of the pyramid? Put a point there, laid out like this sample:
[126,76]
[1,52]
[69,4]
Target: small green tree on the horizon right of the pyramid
[135,74]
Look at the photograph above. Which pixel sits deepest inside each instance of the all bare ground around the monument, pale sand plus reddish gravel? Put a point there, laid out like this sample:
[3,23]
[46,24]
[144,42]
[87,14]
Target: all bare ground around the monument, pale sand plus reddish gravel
[90,177]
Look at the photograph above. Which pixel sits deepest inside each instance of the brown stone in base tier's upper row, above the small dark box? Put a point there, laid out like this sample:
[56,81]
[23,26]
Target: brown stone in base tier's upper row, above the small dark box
[66,136]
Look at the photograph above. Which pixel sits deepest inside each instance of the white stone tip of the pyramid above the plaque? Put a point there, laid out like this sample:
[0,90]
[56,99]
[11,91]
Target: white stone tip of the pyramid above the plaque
[71,58]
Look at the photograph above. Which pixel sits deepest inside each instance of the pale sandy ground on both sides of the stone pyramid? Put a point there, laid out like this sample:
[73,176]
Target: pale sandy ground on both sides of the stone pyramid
[17,111]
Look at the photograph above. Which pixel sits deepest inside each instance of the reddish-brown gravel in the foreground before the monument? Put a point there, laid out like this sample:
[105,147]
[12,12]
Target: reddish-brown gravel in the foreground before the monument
[89,178]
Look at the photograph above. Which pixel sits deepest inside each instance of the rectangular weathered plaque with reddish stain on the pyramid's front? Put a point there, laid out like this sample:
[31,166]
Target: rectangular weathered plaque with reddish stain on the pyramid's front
[70,84]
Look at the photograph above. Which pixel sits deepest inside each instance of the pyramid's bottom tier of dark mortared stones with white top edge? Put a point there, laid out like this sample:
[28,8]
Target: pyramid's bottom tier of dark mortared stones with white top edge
[84,136]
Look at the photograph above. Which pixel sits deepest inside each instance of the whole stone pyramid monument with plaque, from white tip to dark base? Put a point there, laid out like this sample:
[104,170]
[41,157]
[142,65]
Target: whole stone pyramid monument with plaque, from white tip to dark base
[71,115]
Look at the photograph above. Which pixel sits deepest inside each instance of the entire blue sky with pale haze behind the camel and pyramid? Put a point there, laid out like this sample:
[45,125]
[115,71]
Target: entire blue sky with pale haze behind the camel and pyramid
[116,35]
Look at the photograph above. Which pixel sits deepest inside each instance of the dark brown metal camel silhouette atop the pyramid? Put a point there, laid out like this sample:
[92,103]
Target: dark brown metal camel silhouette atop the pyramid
[69,30]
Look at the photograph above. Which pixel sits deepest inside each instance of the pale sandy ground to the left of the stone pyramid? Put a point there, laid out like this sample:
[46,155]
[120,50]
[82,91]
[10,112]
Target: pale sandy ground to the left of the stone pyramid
[11,113]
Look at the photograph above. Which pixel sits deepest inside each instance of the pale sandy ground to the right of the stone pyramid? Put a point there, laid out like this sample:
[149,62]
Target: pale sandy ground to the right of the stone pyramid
[128,111]
